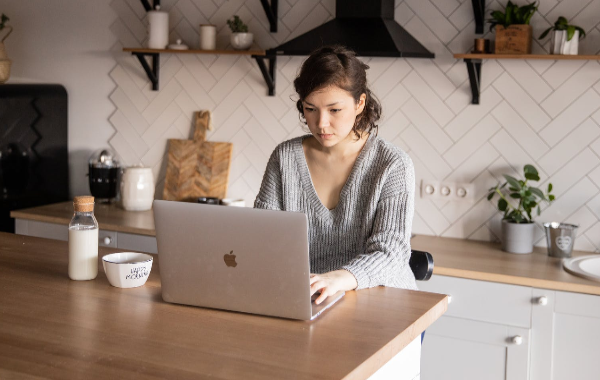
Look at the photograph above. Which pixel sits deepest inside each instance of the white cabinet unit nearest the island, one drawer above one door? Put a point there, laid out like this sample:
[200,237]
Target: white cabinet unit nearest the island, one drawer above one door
[485,334]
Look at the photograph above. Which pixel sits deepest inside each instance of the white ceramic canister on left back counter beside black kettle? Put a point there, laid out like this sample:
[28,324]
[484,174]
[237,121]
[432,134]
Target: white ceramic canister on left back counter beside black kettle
[137,189]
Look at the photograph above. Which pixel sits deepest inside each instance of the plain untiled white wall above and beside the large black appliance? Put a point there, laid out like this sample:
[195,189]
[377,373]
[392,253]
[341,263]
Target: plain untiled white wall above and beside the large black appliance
[68,42]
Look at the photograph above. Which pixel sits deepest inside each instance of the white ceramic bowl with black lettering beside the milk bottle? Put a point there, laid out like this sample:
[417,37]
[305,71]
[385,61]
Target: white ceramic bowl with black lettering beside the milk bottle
[127,269]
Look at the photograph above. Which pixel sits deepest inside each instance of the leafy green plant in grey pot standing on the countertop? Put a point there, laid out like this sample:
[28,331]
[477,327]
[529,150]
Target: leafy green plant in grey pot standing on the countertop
[517,222]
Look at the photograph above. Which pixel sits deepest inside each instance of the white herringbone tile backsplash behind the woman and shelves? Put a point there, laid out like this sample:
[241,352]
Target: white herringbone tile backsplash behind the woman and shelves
[541,112]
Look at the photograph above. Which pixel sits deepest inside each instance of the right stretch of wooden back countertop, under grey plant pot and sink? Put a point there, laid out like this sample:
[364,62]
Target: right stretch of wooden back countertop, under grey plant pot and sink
[486,261]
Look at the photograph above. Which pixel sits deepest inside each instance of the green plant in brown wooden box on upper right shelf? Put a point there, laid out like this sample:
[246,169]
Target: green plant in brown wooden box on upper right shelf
[513,32]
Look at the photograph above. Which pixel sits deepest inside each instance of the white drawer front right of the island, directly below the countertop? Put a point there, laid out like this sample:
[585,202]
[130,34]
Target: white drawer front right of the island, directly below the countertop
[484,301]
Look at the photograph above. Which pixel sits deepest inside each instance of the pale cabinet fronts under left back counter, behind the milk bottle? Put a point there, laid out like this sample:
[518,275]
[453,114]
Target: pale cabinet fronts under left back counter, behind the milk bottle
[114,239]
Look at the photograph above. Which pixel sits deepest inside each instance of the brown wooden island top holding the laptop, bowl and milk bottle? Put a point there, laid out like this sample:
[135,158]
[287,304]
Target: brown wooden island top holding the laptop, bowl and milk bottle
[54,327]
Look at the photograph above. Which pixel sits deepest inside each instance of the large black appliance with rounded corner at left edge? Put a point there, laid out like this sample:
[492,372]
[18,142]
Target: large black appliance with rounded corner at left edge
[33,148]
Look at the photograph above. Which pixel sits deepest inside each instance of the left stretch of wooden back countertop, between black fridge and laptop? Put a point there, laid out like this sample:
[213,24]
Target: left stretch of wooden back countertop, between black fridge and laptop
[109,216]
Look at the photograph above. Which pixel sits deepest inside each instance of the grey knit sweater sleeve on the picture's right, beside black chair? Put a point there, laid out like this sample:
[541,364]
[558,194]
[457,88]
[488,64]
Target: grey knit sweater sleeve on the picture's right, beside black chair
[388,250]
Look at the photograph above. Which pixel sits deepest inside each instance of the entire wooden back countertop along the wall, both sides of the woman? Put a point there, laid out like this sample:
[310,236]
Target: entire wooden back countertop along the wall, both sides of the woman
[452,257]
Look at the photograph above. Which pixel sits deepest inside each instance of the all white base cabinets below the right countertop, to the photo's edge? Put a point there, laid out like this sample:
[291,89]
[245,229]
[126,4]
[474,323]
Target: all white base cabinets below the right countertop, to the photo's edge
[477,337]
